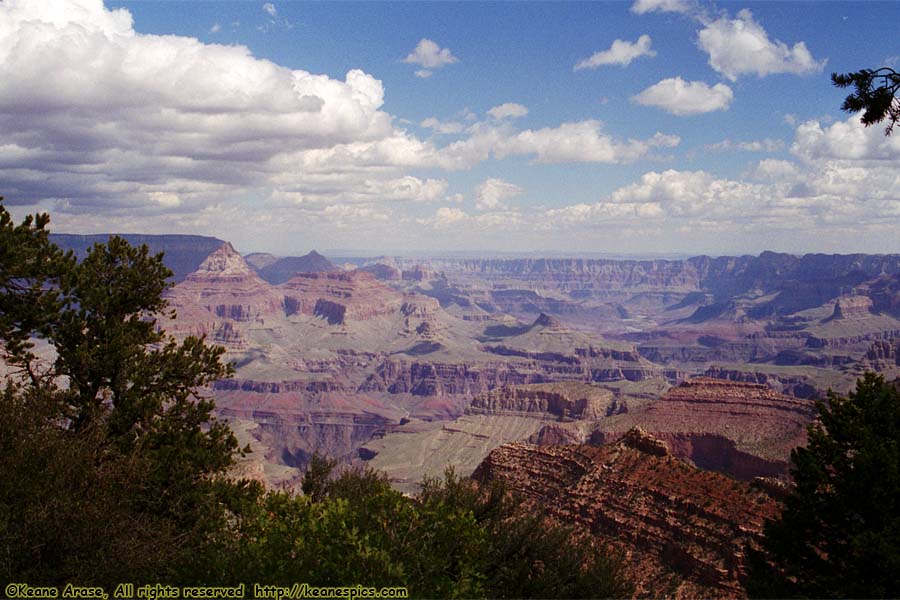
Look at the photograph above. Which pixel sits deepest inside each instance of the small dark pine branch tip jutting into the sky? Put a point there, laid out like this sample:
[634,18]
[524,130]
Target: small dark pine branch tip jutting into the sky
[874,94]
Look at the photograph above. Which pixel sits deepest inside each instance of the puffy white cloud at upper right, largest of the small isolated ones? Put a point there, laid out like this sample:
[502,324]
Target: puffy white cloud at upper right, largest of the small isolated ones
[741,46]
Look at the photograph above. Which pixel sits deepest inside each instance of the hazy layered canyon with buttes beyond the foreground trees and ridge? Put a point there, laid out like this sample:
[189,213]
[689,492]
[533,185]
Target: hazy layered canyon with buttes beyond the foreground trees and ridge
[417,364]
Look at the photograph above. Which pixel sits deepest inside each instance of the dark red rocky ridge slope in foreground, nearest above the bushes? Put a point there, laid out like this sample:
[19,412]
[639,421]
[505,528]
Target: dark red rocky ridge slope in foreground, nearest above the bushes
[679,526]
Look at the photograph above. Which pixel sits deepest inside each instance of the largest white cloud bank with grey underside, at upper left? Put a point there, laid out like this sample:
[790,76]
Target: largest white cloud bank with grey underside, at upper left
[100,118]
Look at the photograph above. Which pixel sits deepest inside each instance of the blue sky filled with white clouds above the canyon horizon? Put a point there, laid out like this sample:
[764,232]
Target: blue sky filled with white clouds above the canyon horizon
[651,126]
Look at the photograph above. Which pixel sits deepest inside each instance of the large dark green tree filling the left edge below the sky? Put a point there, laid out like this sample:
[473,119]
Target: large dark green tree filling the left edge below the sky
[112,459]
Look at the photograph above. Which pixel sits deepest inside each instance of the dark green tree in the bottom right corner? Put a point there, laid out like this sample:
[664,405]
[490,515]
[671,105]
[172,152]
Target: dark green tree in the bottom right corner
[839,534]
